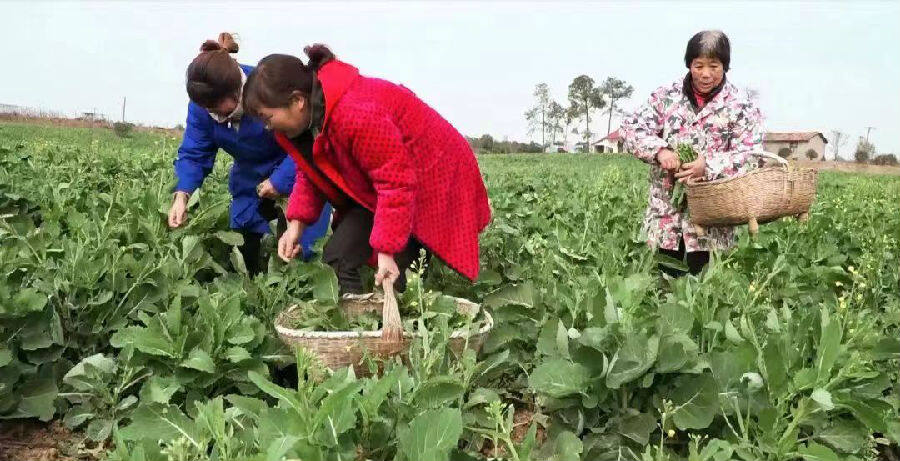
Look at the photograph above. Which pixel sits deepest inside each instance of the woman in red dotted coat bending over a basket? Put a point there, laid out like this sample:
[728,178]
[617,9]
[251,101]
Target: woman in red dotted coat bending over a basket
[400,176]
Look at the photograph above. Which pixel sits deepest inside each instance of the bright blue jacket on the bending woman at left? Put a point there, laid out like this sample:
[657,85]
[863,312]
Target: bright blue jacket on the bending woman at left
[257,156]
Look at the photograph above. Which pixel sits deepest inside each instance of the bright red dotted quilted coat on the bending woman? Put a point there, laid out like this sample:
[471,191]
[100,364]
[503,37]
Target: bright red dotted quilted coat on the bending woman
[393,154]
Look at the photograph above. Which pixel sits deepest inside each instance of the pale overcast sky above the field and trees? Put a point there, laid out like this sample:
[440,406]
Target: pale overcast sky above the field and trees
[818,66]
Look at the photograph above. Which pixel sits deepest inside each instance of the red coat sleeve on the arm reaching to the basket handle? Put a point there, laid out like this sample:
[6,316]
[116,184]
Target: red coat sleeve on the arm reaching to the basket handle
[376,143]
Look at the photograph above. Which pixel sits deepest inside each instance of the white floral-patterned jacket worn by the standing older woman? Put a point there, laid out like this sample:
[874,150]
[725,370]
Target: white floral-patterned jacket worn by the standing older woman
[724,131]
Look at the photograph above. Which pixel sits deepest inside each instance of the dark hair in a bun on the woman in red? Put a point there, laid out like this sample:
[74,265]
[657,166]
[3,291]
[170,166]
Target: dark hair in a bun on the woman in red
[279,77]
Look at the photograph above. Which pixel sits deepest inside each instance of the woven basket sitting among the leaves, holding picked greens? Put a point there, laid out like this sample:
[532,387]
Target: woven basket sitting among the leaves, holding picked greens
[337,349]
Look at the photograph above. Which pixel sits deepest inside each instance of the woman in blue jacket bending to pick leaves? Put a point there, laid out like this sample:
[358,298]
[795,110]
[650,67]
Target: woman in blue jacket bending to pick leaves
[261,171]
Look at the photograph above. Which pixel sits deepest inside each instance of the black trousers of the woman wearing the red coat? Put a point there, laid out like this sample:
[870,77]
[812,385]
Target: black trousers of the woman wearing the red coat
[348,250]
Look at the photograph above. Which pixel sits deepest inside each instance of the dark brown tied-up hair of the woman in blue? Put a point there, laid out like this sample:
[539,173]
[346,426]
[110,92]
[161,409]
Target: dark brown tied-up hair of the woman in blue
[213,74]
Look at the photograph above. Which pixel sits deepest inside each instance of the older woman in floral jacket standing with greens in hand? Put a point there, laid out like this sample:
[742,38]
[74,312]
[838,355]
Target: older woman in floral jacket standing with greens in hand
[719,122]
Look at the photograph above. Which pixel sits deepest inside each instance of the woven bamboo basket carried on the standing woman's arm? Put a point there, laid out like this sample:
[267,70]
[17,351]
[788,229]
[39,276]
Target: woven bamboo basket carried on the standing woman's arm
[760,196]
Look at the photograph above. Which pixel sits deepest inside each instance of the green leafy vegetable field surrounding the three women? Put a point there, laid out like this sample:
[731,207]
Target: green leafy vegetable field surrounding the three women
[152,344]
